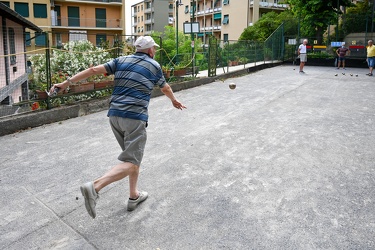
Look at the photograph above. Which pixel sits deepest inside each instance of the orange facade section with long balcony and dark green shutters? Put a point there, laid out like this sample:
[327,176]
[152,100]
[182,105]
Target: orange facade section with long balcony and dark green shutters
[95,21]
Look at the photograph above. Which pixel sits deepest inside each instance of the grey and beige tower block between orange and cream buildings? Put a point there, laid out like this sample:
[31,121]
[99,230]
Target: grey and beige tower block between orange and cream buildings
[150,15]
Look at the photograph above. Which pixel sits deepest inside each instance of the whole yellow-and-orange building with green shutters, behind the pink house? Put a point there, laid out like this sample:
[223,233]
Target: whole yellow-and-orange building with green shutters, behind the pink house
[67,20]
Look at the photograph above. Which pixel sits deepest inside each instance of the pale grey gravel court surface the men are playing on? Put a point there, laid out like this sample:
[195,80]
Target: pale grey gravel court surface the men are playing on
[284,161]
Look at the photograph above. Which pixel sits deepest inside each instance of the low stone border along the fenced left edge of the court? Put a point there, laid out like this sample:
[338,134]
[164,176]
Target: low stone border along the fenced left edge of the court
[15,123]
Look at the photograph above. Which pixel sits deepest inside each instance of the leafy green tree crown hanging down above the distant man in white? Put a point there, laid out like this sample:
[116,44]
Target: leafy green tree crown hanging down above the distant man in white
[316,15]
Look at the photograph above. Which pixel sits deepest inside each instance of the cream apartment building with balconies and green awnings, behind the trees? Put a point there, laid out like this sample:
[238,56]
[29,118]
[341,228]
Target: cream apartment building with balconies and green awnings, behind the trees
[224,19]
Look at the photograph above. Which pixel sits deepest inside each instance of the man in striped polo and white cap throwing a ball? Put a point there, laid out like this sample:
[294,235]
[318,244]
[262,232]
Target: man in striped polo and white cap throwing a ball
[135,77]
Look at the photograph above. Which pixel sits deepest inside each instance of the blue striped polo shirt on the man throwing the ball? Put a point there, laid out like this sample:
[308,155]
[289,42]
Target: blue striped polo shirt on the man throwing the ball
[134,79]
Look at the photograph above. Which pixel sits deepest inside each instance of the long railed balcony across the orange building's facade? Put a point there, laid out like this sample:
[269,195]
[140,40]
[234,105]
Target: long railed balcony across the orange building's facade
[66,22]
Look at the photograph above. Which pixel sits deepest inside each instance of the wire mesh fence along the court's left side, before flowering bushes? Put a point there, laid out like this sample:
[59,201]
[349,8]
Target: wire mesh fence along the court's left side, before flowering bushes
[29,74]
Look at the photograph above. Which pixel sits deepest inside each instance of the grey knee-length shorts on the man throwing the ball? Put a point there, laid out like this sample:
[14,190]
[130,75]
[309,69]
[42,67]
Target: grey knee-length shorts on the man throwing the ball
[132,136]
